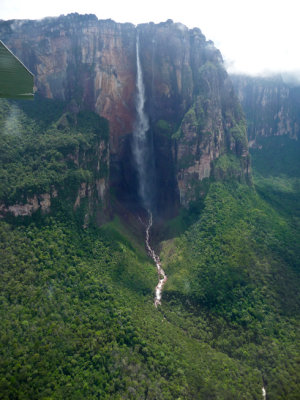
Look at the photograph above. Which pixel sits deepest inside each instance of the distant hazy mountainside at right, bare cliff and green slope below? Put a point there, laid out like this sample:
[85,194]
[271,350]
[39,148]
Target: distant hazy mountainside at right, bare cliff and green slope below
[272,109]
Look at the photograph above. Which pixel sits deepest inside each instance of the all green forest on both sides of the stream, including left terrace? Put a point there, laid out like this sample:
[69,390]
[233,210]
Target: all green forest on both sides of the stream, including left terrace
[77,313]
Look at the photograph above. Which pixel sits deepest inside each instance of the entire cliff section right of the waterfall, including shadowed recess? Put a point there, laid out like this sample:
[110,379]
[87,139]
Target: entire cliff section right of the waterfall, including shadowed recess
[192,108]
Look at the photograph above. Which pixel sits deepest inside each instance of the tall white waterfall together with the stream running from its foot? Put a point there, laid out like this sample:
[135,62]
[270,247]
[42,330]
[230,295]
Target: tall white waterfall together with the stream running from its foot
[144,159]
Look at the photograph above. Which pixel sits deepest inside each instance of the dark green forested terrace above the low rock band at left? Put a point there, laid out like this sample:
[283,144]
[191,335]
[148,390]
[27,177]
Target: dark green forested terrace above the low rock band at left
[43,146]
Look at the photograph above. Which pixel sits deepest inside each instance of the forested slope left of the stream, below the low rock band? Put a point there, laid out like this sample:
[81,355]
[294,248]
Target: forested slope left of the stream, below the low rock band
[78,320]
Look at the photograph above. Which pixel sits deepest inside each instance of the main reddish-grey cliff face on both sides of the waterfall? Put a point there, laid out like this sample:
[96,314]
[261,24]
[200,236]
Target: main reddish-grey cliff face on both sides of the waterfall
[194,115]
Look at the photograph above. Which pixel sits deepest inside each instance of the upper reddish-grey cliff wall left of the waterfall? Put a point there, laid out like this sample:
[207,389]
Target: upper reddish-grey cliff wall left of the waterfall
[81,59]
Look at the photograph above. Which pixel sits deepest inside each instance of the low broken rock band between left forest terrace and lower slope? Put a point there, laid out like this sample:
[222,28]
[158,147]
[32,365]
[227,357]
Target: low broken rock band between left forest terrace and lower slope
[95,163]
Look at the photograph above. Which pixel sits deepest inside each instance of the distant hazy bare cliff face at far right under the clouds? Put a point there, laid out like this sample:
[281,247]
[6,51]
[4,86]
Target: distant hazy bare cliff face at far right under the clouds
[270,105]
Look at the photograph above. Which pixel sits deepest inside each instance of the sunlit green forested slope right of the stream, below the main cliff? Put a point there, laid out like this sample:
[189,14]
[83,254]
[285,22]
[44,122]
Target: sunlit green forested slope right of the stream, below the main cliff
[237,267]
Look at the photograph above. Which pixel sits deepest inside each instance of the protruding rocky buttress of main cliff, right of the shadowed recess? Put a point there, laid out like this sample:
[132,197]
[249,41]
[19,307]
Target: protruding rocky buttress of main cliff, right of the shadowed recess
[213,126]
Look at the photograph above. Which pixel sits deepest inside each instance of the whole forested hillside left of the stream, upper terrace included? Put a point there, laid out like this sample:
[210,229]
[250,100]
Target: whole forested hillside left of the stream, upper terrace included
[77,304]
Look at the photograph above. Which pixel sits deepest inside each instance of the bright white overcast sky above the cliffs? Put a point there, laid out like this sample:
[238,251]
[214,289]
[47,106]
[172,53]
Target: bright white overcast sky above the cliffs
[254,36]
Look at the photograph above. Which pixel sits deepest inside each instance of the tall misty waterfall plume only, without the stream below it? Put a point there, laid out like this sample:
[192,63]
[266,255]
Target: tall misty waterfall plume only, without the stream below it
[142,142]
